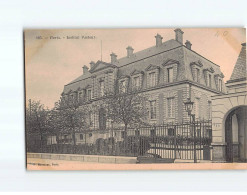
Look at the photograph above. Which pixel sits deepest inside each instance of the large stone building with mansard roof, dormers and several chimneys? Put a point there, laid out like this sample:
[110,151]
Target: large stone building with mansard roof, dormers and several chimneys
[167,73]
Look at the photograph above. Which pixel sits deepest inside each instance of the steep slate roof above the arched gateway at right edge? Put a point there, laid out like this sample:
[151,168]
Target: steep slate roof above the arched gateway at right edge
[239,70]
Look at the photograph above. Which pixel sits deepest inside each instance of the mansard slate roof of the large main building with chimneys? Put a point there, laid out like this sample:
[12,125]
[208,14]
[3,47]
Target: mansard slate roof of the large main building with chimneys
[169,51]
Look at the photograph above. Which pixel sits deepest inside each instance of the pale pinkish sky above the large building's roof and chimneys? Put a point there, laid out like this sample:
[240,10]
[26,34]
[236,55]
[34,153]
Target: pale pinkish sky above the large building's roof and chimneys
[52,63]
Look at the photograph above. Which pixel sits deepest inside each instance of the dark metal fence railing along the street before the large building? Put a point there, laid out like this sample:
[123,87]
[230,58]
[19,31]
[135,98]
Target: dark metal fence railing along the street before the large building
[173,141]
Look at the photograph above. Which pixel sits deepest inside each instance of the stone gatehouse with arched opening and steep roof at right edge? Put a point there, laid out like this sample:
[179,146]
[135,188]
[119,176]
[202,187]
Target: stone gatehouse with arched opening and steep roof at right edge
[229,116]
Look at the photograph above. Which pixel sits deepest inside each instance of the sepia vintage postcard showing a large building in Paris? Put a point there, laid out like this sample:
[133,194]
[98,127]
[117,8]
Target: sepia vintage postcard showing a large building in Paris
[135,99]
